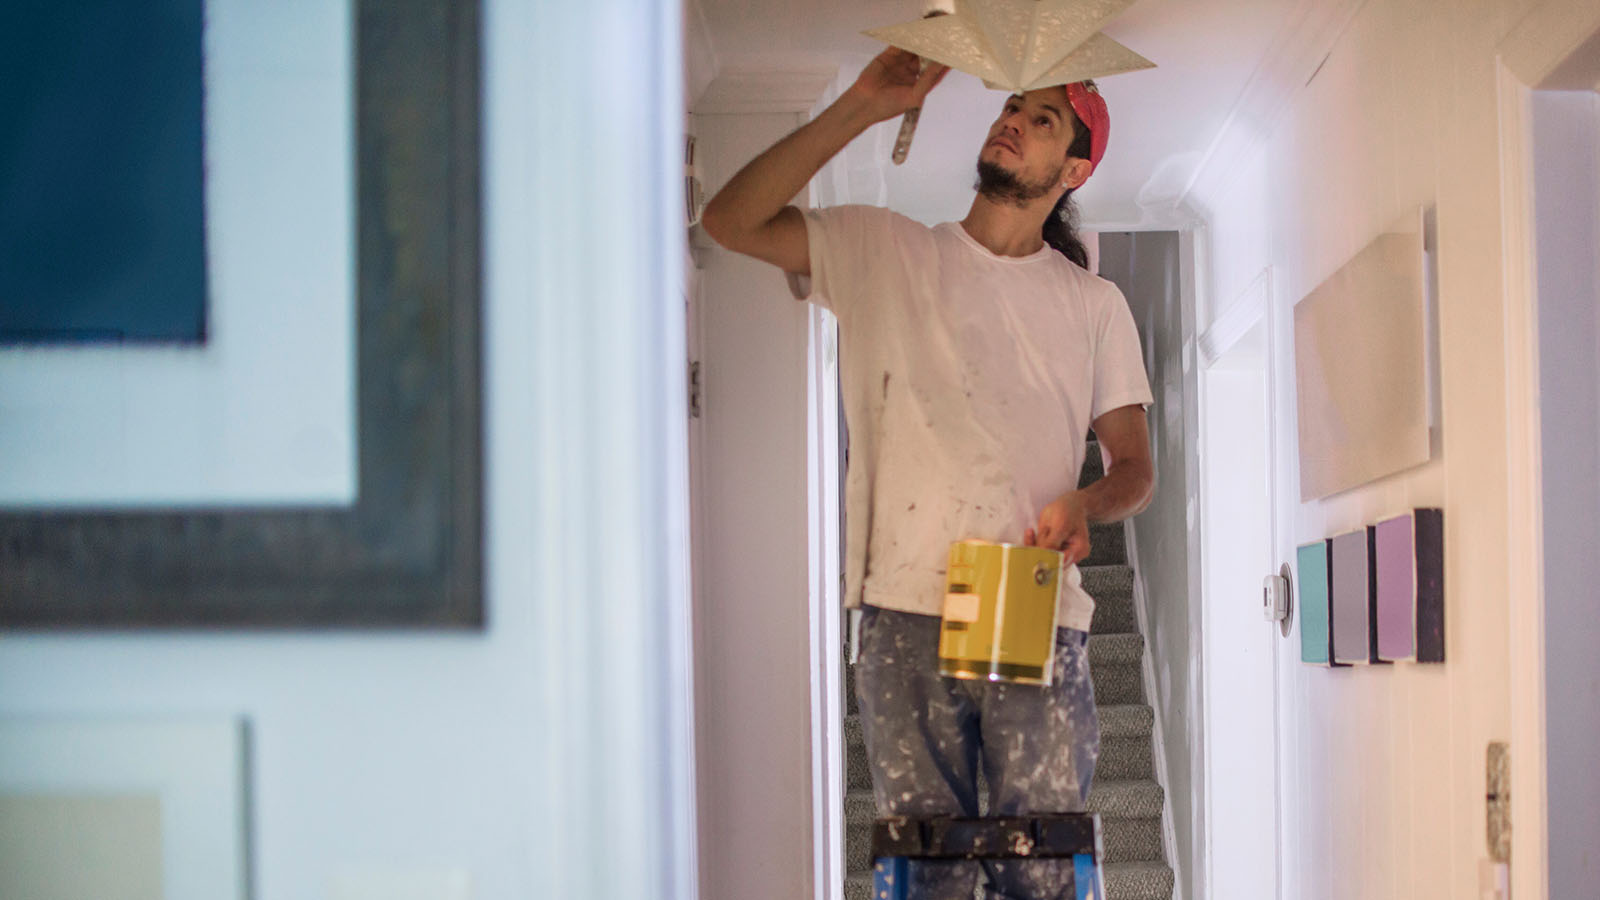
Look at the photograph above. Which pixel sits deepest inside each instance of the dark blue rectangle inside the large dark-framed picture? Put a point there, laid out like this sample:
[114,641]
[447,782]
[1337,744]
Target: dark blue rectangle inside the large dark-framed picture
[102,172]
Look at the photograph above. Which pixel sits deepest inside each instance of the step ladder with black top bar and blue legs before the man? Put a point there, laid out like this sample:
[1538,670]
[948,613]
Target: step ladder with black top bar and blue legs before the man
[900,840]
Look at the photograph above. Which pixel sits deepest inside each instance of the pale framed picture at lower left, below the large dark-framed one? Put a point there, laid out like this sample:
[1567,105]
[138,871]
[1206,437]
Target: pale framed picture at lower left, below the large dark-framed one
[124,808]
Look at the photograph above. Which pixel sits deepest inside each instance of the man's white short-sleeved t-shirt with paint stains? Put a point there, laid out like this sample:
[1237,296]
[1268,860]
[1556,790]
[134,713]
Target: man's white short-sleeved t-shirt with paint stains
[970,385]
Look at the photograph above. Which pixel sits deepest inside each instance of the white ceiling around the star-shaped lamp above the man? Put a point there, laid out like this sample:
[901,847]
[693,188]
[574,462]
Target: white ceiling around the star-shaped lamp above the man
[1164,119]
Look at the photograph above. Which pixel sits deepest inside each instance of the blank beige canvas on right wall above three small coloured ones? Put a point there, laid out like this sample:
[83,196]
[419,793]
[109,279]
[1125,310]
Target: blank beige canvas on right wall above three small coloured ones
[1362,366]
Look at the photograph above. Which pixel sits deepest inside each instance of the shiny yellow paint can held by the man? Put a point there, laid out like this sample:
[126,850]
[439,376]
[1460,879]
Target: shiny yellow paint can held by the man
[1001,609]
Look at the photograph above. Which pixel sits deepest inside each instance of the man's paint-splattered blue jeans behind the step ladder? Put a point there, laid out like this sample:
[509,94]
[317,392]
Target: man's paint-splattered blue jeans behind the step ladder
[927,734]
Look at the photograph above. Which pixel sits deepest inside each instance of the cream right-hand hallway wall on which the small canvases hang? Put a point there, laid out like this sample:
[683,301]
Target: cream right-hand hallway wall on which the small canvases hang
[1385,769]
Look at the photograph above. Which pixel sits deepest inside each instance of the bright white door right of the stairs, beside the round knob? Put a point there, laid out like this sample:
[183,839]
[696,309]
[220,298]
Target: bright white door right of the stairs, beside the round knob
[1239,645]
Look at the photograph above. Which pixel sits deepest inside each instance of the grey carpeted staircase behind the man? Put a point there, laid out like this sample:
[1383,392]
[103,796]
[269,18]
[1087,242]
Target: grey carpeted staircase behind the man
[1126,792]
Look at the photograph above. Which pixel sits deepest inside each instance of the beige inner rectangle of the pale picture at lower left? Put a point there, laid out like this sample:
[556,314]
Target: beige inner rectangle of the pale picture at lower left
[78,846]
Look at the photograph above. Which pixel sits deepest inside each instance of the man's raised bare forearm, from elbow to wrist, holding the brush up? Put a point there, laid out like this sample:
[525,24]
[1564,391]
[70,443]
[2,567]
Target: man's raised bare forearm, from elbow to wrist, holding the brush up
[772,180]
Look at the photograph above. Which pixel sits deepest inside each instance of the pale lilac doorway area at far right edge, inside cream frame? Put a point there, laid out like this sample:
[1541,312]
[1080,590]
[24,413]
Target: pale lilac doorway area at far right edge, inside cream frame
[1567,230]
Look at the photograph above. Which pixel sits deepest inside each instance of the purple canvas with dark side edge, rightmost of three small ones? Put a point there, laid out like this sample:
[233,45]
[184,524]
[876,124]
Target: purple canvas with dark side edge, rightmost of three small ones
[1410,561]
